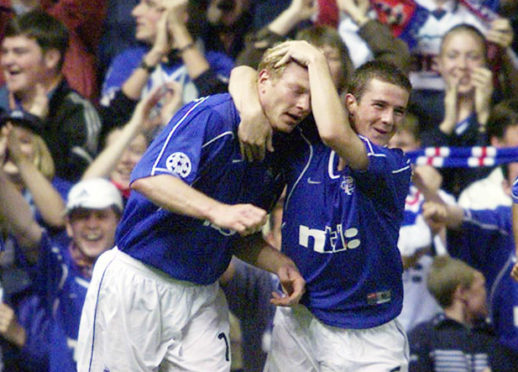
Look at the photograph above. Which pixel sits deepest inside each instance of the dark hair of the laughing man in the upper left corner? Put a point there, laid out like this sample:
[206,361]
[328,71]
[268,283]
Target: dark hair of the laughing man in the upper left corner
[46,30]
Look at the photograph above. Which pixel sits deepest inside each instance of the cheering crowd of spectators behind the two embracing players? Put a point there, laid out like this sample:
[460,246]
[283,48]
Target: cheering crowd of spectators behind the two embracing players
[87,85]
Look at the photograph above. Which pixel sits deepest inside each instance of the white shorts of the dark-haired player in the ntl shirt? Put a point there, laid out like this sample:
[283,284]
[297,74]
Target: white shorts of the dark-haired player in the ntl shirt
[301,343]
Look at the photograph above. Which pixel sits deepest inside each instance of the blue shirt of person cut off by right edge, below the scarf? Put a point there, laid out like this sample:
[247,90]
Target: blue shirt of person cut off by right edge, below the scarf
[486,242]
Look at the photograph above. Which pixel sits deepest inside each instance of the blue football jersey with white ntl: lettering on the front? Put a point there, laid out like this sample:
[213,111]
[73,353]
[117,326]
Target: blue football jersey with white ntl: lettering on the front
[341,228]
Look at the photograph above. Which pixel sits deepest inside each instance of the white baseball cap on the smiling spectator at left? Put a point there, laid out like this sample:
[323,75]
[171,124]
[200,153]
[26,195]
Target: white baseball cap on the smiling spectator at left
[95,193]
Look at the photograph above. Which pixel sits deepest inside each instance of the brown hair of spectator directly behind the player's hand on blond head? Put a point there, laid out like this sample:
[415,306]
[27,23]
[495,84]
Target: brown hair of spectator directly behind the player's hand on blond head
[321,36]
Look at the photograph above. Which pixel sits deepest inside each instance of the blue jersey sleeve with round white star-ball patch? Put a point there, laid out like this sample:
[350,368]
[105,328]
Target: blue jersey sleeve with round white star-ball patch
[179,148]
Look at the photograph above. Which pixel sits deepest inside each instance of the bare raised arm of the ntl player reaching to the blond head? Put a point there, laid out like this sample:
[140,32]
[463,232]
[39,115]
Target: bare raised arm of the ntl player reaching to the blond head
[331,117]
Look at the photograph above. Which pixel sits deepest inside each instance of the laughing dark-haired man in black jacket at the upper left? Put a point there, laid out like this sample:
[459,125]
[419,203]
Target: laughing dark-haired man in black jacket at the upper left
[32,54]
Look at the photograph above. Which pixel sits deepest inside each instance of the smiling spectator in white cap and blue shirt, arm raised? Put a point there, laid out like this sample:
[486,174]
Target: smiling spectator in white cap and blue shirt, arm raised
[92,213]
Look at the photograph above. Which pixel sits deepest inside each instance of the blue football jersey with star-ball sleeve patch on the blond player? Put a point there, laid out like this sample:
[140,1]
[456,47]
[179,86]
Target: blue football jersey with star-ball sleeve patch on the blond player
[200,147]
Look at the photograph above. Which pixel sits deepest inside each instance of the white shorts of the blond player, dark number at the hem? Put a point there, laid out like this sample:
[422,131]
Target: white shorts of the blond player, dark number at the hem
[136,318]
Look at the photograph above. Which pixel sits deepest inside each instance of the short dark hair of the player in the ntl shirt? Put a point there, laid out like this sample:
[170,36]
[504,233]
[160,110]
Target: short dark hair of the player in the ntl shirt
[381,70]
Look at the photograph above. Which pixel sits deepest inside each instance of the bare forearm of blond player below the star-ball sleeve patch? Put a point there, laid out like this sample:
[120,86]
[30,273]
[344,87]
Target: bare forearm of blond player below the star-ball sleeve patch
[176,196]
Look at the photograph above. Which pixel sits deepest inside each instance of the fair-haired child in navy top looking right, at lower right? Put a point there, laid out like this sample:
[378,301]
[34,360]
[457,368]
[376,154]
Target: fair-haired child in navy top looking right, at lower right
[458,338]
